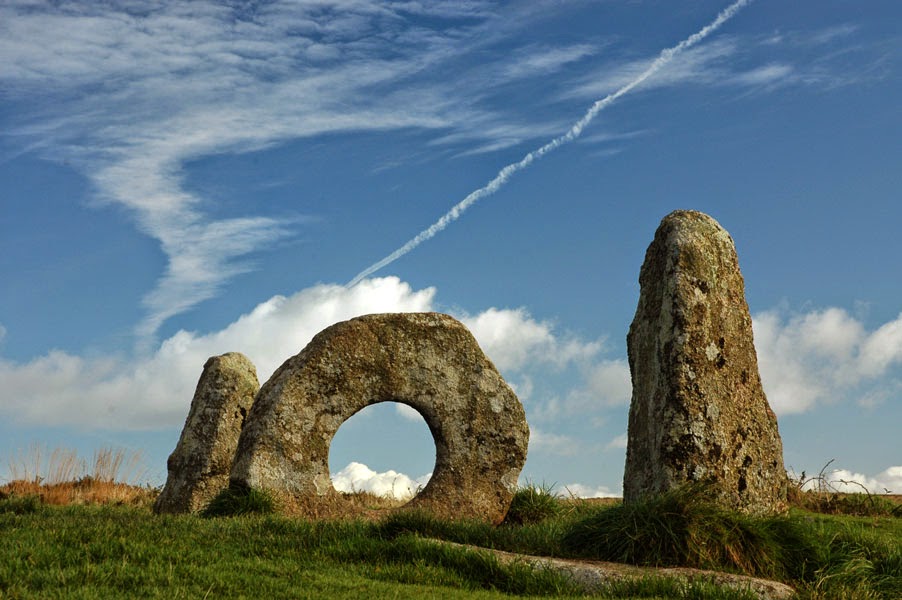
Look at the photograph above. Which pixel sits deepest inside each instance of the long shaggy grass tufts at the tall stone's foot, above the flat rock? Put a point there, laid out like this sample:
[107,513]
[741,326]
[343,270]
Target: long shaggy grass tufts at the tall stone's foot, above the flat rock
[822,556]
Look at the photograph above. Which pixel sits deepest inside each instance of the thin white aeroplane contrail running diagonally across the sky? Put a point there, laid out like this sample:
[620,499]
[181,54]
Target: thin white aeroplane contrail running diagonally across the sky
[574,132]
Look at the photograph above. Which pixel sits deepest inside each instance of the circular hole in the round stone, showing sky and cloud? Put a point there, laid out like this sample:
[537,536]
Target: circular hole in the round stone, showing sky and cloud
[386,450]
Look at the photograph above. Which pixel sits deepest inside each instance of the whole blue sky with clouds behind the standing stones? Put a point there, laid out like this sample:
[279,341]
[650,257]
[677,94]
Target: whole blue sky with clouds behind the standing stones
[182,180]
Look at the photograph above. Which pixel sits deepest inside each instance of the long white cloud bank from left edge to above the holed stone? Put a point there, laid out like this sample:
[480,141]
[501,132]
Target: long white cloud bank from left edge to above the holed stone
[155,391]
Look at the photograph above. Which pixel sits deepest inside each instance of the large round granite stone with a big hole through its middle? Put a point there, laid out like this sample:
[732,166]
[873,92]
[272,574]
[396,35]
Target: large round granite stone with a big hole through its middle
[428,361]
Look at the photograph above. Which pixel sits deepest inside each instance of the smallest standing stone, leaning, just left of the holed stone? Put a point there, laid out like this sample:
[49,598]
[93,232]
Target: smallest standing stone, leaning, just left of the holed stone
[199,466]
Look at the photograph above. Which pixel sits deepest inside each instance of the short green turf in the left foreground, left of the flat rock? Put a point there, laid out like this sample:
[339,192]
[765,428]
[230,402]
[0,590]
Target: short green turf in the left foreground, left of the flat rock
[98,552]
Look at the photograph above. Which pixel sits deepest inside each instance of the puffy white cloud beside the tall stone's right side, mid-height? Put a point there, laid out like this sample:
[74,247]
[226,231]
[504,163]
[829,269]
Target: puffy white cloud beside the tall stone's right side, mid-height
[824,356]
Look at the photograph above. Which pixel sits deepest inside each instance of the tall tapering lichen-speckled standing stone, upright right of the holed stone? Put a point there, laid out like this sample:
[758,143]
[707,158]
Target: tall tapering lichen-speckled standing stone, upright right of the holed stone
[698,411]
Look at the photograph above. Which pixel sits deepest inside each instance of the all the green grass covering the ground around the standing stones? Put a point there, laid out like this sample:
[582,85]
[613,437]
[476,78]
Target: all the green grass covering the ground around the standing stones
[125,551]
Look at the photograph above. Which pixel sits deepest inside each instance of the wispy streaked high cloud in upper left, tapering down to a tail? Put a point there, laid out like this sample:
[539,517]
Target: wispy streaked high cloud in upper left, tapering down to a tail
[169,82]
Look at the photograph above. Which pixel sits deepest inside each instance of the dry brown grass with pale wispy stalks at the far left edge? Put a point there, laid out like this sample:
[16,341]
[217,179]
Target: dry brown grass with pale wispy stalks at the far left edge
[59,477]
